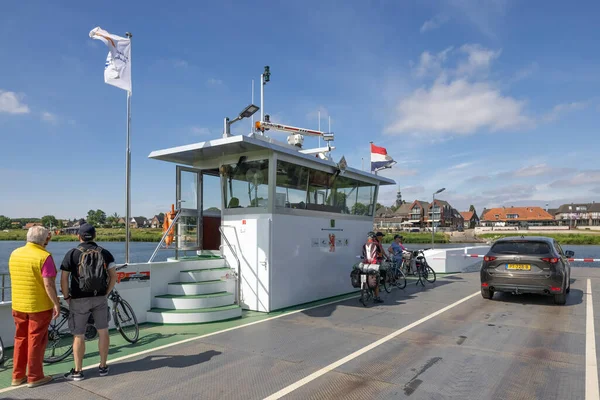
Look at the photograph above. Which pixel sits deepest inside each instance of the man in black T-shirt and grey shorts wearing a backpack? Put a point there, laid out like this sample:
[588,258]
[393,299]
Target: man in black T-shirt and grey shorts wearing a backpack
[92,274]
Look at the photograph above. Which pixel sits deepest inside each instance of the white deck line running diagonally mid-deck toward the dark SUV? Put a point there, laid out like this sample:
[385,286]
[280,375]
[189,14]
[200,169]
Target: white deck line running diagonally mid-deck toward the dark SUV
[365,349]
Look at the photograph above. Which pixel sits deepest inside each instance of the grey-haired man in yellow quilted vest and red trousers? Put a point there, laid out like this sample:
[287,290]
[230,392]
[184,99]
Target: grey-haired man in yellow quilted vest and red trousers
[34,304]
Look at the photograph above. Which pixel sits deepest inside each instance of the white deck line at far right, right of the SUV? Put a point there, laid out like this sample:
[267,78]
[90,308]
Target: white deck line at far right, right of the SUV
[591,365]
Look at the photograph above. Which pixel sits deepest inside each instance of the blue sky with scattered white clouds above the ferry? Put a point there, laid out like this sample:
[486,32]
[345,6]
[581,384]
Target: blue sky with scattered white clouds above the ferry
[497,101]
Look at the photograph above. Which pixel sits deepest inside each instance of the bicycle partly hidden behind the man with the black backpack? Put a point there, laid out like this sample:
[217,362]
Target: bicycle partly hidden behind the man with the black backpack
[59,336]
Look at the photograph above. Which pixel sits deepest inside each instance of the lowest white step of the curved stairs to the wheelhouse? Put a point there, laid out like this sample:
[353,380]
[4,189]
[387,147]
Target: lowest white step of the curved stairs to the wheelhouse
[200,315]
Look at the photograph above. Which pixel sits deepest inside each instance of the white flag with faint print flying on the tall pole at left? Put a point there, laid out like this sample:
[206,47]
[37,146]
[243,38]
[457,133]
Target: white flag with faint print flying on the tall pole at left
[117,70]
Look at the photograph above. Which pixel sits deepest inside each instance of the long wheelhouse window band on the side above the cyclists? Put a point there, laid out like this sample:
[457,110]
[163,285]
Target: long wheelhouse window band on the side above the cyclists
[300,187]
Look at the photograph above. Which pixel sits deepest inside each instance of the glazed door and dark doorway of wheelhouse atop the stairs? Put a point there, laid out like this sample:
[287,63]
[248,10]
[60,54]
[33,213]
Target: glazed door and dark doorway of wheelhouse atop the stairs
[198,198]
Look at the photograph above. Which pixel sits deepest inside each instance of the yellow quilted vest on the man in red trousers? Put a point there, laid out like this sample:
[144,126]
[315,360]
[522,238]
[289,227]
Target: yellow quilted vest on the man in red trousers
[27,286]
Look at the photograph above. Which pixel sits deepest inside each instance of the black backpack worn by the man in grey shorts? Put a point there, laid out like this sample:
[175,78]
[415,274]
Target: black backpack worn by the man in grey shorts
[92,272]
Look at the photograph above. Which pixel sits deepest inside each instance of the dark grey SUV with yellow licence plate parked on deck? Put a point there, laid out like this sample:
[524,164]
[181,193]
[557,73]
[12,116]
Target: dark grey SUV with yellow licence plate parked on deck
[527,264]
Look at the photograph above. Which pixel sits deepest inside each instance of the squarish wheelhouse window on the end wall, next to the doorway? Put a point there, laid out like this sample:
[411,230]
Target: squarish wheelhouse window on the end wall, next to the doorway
[246,184]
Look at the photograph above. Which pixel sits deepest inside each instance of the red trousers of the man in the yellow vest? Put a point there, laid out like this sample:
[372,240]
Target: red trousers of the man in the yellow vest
[31,337]
